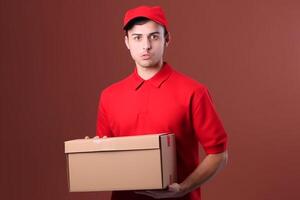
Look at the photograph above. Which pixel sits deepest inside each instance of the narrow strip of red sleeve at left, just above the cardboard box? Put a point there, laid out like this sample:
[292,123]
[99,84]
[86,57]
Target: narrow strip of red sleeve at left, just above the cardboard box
[102,125]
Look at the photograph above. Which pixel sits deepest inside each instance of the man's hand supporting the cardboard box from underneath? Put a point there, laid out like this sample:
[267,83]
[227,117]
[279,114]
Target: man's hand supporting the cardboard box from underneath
[174,191]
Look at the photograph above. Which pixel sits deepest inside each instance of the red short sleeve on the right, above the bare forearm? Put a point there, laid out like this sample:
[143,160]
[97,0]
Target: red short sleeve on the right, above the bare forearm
[207,124]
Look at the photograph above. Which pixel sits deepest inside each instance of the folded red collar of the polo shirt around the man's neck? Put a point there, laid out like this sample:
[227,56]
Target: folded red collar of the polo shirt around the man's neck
[157,80]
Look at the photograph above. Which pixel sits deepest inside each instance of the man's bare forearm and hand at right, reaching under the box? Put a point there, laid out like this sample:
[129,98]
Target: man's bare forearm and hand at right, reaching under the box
[209,167]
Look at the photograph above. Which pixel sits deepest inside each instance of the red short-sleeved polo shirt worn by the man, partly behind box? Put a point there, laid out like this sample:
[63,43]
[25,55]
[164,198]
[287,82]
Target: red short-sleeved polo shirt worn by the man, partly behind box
[168,102]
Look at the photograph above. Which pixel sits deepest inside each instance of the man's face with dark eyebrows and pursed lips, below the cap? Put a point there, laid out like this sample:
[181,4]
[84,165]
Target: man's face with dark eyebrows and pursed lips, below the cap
[146,44]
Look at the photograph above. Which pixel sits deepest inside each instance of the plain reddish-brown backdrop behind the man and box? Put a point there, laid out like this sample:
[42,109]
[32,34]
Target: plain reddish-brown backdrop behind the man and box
[56,56]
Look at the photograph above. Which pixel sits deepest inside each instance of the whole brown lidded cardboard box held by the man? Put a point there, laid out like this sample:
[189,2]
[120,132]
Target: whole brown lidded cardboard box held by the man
[121,163]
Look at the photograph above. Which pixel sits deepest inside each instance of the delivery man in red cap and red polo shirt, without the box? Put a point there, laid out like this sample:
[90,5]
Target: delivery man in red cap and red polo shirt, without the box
[156,98]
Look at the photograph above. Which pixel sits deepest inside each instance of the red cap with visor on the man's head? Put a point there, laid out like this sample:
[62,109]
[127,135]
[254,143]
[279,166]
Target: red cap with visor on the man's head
[153,13]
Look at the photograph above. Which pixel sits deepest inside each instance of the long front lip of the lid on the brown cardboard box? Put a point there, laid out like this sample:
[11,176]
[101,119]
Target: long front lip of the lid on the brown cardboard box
[150,141]
